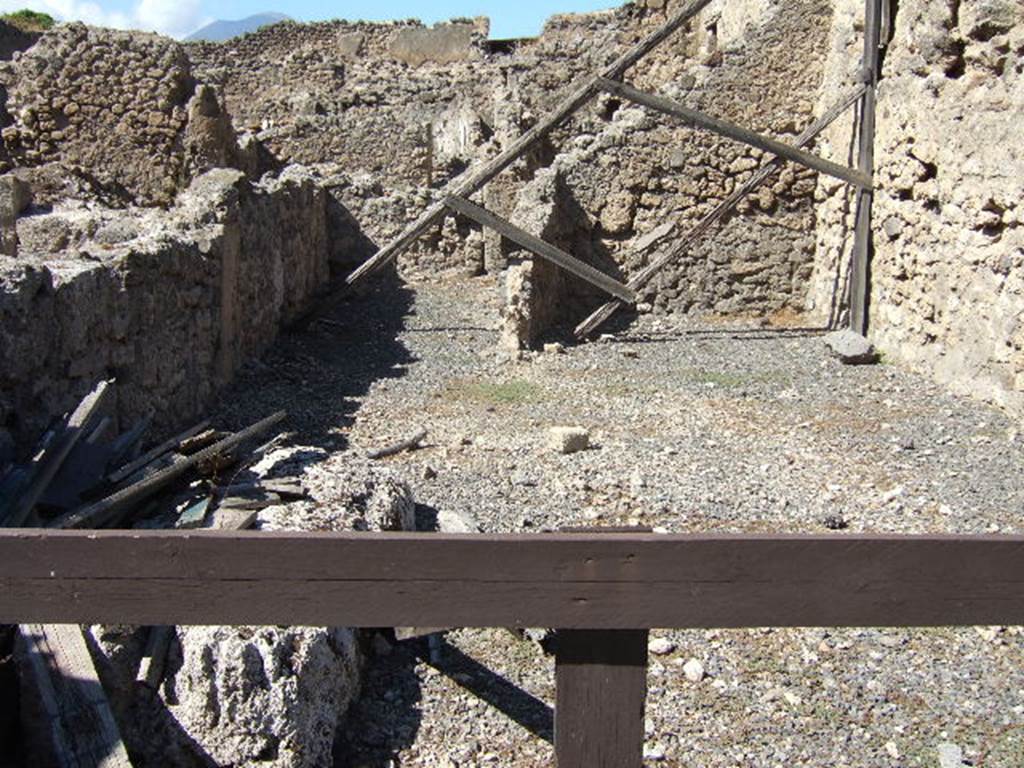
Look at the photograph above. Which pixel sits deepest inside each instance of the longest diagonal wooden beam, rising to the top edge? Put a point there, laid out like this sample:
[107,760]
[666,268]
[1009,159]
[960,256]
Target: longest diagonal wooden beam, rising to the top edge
[478,178]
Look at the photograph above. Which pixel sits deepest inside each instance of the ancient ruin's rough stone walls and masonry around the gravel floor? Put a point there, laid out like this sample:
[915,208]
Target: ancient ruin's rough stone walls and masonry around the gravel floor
[169,211]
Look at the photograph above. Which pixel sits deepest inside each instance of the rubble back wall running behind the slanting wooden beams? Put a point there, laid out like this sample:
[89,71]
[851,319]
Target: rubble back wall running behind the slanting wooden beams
[394,130]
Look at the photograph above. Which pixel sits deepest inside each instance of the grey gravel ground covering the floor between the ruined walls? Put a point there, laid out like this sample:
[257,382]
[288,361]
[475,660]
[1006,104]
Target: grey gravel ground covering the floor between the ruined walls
[695,429]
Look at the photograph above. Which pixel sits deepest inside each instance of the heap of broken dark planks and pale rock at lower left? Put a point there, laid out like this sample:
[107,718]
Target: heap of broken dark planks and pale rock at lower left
[185,696]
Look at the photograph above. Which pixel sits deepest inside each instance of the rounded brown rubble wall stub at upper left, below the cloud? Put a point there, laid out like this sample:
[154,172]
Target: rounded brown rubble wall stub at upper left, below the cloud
[112,115]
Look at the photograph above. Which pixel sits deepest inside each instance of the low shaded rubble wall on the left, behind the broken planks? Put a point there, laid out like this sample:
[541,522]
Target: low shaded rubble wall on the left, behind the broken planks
[168,304]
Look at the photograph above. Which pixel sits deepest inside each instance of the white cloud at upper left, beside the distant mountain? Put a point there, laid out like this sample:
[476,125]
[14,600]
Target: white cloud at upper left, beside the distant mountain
[174,18]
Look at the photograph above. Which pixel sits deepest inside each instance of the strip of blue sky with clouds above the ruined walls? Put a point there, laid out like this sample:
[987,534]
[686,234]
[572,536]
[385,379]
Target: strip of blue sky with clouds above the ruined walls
[179,18]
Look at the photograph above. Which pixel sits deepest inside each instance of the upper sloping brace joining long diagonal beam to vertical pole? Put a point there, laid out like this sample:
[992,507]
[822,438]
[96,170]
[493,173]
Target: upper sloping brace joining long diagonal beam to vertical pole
[736,133]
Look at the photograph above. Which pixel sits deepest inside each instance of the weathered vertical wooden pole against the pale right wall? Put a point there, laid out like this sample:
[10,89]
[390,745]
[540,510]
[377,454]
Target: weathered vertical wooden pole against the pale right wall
[860,288]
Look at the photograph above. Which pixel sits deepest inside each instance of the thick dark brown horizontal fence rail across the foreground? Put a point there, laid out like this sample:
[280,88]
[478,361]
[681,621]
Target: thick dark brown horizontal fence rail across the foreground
[603,581]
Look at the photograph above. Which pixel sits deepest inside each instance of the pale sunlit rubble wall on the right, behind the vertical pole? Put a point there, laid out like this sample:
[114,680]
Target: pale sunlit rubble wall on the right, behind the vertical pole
[948,276]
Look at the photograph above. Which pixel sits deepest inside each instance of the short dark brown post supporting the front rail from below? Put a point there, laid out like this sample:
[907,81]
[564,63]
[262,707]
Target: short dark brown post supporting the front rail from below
[602,686]
